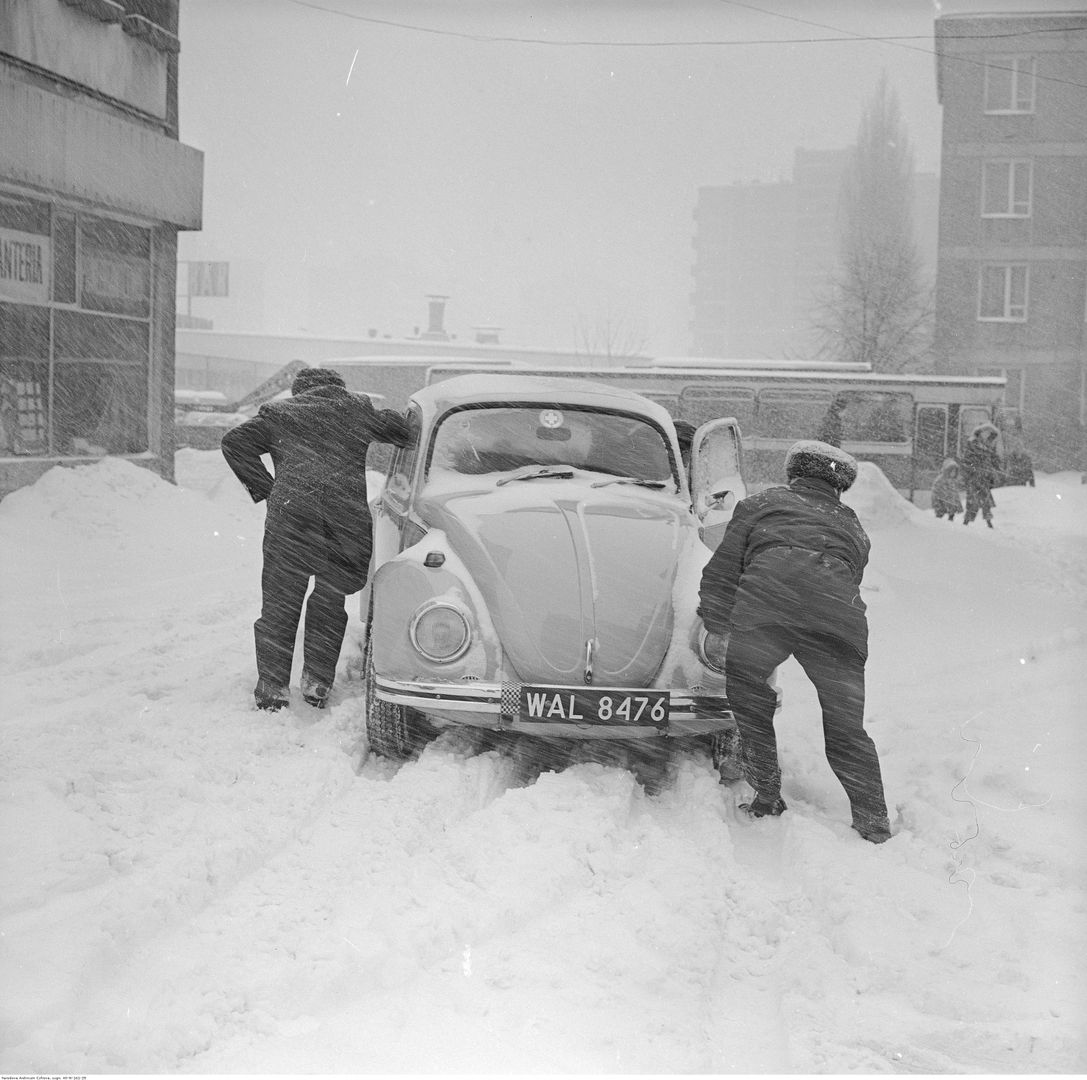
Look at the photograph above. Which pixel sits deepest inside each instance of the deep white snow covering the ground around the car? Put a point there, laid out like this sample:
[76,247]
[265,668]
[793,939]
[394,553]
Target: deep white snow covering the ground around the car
[191,886]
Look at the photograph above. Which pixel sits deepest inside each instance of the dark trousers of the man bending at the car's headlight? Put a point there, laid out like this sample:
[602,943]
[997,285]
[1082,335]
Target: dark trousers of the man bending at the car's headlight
[838,672]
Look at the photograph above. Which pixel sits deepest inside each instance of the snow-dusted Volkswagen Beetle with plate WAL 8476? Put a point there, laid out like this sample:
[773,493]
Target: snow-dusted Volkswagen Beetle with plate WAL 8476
[538,552]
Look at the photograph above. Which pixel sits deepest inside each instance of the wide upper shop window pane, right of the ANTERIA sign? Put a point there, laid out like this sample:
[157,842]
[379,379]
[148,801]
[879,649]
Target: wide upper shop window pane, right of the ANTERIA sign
[116,267]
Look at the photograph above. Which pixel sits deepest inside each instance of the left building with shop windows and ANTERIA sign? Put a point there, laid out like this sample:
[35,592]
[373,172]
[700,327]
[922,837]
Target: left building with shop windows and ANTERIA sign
[94,189]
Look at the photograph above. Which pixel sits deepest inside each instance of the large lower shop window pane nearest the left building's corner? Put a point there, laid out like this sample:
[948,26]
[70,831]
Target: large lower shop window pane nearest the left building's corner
[101,385]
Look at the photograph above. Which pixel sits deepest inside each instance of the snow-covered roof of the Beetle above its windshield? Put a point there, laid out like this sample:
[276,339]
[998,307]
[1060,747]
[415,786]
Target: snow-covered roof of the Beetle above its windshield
[491,388]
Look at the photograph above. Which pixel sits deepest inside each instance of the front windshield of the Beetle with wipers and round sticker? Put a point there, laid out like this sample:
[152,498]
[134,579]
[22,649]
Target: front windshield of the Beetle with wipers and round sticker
[506,438]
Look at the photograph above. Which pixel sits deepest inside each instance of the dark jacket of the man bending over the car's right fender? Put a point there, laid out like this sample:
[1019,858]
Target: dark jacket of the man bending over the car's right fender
[791,557]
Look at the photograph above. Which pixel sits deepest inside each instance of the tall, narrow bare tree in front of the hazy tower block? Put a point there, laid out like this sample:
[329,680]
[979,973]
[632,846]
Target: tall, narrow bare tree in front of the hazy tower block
[877,309]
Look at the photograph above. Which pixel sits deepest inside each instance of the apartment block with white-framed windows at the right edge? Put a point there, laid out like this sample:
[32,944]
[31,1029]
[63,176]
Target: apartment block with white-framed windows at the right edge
[1011,293]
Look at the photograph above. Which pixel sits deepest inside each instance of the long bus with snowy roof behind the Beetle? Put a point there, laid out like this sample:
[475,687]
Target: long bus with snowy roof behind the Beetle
[905,424]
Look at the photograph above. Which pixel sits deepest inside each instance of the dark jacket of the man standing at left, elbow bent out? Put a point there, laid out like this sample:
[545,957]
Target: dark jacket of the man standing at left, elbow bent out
[318,442]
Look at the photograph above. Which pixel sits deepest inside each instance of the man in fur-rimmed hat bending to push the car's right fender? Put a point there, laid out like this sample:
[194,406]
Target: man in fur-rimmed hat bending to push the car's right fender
[786,582]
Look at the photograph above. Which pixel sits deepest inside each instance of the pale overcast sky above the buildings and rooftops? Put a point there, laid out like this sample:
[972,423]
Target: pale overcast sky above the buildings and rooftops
[539,162]
